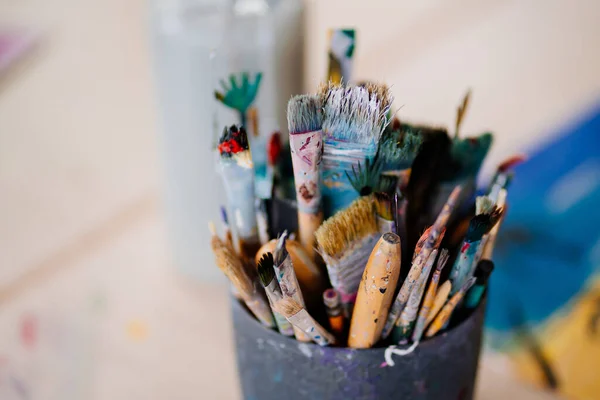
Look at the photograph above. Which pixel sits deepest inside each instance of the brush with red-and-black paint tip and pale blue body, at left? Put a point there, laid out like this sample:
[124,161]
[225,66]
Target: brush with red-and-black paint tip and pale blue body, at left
[238,180]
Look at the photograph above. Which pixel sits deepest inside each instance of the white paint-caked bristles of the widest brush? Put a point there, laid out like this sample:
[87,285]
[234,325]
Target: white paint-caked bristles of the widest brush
[355,114]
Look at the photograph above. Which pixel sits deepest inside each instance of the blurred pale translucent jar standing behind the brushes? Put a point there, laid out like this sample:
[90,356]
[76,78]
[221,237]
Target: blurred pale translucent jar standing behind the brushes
[197,43]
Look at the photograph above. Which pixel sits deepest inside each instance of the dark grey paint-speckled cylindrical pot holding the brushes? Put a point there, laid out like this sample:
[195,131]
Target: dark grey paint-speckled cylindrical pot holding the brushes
[272,366]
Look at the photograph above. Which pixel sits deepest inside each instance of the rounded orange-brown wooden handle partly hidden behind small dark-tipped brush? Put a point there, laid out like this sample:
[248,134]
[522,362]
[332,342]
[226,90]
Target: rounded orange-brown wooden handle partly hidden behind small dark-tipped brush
[312,281]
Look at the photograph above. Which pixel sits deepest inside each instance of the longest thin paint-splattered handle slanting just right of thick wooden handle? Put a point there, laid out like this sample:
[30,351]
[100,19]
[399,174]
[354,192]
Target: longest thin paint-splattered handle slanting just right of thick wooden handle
[419,261]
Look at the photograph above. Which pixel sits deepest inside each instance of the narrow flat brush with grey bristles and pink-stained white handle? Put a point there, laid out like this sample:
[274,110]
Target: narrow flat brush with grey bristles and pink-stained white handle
[305,119]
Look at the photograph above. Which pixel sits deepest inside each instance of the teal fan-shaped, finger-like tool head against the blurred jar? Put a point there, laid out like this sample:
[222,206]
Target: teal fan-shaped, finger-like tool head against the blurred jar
[239,95]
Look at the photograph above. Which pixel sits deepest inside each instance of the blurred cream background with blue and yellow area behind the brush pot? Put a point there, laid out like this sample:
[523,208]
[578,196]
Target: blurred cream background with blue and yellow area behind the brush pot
[107,180]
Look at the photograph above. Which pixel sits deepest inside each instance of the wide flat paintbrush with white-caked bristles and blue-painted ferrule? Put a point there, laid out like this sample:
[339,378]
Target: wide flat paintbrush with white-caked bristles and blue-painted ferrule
[353,120]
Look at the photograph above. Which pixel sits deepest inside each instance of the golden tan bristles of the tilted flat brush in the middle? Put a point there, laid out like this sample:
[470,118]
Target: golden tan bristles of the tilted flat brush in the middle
[347,227]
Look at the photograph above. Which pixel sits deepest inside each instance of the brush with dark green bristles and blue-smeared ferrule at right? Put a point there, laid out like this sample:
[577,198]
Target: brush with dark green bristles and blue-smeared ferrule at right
[487,215]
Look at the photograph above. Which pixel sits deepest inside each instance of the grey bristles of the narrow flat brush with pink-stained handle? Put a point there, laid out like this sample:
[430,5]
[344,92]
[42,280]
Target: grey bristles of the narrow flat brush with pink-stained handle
[305,113]
